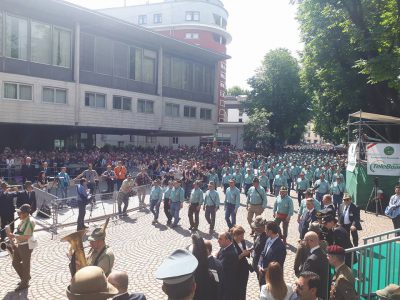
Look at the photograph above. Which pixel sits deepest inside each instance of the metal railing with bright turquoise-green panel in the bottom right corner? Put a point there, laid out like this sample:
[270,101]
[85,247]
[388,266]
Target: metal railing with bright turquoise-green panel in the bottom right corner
[378,263]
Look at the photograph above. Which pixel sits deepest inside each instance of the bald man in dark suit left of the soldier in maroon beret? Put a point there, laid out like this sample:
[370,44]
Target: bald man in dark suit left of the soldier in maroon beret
[317,262]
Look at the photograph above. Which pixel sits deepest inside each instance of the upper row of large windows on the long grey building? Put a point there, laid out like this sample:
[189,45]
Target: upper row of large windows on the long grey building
[38,42]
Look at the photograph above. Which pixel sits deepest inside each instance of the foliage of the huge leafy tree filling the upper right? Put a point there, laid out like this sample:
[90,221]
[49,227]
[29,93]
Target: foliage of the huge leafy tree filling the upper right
[351,60]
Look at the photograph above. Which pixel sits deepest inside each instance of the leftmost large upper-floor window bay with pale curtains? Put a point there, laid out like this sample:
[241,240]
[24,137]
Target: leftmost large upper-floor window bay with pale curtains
[34,41]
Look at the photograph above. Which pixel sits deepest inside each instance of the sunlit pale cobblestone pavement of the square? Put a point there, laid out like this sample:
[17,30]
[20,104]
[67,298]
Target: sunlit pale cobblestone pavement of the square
[139,248]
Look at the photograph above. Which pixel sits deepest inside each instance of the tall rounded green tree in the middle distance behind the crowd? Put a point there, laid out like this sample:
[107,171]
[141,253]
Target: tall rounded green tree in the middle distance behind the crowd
[276,87]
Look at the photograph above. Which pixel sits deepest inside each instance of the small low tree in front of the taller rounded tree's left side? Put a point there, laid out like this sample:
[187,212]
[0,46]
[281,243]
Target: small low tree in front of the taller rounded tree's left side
[256,134]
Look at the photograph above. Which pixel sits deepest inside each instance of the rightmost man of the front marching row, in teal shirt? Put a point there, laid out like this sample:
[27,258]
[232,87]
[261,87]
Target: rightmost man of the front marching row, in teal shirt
[283,210]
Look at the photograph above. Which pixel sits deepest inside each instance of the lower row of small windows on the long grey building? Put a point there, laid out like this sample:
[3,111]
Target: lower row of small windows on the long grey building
[19,91]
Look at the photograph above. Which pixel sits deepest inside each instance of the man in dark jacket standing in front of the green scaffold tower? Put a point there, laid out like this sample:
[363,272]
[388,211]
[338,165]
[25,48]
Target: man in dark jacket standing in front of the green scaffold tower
[349,217]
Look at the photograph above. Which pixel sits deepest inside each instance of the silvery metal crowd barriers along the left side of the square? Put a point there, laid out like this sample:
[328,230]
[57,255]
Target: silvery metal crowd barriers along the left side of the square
[63,209]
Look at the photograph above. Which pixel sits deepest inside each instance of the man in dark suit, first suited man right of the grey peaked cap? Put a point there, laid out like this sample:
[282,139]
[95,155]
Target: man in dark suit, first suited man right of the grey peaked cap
[230,263]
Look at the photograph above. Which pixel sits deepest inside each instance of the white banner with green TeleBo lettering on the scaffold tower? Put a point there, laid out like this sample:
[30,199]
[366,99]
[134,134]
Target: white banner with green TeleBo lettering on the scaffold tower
[383,159]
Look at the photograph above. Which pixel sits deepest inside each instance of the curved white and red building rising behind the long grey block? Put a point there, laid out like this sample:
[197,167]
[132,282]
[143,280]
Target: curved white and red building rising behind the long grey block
[198,22]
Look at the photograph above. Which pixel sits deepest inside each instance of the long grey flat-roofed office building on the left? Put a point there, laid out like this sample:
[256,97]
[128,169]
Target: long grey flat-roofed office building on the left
[69,74]
